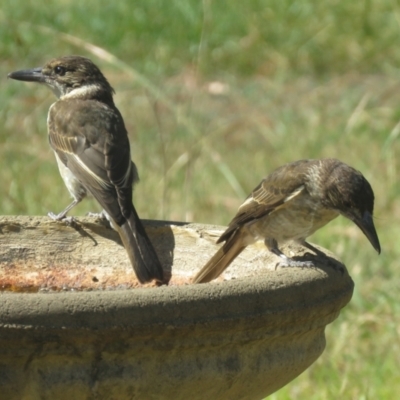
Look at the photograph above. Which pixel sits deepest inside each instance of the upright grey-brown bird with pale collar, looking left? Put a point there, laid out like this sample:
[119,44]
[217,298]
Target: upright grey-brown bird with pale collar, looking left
[91,145]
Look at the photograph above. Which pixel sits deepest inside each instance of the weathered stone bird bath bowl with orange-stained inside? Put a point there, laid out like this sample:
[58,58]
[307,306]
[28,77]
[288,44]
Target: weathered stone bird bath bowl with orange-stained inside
[75,323]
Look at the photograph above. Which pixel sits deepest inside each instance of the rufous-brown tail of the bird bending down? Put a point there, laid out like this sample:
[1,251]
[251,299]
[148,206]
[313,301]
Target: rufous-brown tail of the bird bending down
[220,260]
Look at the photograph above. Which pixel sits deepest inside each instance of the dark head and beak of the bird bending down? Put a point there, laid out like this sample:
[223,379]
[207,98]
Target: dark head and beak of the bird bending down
[348,192]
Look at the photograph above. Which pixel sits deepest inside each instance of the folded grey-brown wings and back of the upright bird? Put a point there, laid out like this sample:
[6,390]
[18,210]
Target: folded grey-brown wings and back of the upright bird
[96,150]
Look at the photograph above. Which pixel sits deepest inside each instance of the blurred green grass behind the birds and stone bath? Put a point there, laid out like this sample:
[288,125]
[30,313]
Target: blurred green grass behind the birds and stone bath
[215,95]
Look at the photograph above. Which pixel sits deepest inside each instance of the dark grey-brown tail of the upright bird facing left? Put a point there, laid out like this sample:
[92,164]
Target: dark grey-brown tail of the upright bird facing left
[141,252]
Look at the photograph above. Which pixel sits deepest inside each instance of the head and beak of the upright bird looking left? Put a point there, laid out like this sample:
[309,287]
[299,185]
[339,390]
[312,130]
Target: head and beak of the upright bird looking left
[72,76]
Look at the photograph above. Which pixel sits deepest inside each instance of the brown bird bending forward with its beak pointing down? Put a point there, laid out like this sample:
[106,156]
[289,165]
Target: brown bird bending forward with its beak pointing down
[292,203]
